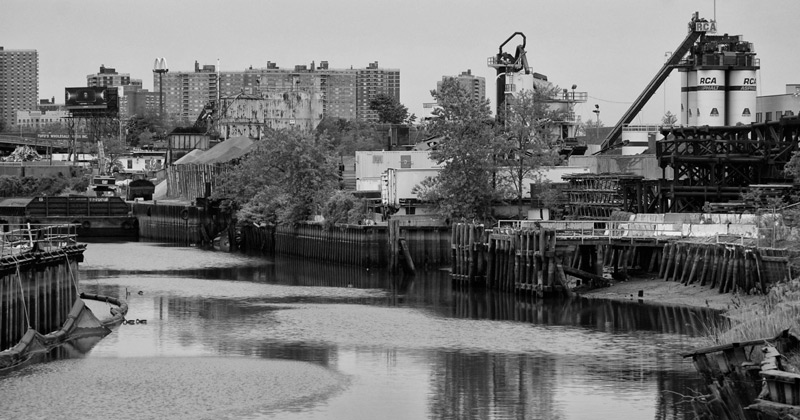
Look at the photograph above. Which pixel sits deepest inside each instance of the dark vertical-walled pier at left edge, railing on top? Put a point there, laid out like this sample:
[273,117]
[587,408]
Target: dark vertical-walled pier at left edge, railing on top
[40,304]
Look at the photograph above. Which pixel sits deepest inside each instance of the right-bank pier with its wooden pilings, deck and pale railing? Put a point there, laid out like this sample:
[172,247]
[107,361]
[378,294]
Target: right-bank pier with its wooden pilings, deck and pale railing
[537,256]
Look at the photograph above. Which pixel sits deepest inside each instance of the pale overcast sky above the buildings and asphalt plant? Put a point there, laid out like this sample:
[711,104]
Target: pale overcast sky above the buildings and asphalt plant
[609,48]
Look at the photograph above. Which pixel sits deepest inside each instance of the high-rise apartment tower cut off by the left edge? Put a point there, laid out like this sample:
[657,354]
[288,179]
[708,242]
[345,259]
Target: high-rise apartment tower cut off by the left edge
[19,84]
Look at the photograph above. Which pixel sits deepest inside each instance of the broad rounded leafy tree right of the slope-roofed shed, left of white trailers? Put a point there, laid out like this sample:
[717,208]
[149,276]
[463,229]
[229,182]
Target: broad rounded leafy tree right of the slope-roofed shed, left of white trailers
[284,180]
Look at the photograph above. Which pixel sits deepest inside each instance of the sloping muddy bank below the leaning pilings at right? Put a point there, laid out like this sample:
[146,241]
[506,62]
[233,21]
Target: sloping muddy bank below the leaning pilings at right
[657,291]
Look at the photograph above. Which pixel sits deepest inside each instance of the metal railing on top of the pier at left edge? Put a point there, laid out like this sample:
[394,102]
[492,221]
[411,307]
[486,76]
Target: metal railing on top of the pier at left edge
[40,237]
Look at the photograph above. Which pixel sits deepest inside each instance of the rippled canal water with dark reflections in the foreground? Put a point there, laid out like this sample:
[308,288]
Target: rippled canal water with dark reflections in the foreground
[227,336]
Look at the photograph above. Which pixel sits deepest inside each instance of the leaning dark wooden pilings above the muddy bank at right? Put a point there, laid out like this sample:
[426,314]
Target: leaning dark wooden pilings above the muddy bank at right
[727,267]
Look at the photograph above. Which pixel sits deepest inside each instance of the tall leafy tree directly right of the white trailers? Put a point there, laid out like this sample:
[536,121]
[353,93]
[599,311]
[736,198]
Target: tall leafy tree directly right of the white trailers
[464,187]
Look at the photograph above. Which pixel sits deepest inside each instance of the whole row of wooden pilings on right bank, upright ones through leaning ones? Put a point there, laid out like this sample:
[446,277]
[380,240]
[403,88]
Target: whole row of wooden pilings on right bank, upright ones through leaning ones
[521,259]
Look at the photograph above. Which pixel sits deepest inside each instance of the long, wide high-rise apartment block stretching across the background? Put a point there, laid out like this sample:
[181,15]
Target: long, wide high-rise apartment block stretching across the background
[345,93]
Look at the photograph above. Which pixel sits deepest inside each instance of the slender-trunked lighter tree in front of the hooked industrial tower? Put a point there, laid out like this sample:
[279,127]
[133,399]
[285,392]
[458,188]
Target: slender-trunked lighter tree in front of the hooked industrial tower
[531,138]
